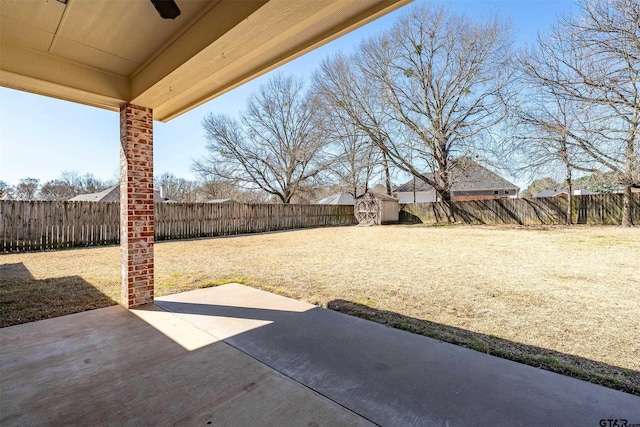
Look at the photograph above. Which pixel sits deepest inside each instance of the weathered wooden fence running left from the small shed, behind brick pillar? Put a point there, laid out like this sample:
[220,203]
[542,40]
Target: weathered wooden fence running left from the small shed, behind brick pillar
[39,225]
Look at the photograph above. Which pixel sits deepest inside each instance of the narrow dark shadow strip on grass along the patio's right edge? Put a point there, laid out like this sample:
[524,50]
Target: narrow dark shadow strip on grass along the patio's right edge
[614,377]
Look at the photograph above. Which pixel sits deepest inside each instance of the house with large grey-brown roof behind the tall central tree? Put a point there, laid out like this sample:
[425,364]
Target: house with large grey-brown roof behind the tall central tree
[471,181]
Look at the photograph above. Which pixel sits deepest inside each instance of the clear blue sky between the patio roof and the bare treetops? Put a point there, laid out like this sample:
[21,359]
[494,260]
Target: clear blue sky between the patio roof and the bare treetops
[40,137]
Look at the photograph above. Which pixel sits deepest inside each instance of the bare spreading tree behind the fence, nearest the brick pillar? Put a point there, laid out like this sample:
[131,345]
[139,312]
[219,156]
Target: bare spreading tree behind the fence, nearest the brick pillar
[276,147]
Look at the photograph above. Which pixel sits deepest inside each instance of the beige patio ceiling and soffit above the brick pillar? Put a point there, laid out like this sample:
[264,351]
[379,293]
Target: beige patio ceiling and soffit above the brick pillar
[107,52]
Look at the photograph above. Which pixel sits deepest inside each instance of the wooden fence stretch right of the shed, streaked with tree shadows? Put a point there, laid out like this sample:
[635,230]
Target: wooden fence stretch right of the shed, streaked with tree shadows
[597,209]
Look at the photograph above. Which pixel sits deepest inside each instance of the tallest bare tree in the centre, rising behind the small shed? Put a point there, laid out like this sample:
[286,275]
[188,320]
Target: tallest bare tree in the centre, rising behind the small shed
[427,91]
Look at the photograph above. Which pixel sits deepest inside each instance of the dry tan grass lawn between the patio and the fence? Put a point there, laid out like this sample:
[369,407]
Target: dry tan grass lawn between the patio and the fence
[566,299]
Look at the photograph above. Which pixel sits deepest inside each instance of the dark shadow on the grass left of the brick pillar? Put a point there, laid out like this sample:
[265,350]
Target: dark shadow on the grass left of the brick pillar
[24,298]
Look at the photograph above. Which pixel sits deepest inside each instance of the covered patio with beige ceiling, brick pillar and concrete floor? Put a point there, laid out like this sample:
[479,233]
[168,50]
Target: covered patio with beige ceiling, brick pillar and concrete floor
[229,355]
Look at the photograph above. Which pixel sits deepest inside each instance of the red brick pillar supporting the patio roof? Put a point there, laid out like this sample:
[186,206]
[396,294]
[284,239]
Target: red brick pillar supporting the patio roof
[136,204]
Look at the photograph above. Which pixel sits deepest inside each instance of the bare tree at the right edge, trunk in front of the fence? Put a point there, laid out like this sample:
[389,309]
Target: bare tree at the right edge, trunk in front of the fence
[592,59]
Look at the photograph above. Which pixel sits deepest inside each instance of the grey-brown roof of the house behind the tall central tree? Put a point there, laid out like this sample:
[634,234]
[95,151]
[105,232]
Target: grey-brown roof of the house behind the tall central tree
[467,175]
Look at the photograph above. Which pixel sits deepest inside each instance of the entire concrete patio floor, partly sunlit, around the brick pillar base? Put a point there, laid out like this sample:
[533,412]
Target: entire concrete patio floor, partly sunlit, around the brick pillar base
[236,356]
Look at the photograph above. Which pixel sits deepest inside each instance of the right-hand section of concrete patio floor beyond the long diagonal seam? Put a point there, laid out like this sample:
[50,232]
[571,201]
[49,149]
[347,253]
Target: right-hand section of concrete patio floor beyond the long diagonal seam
[390,376]
